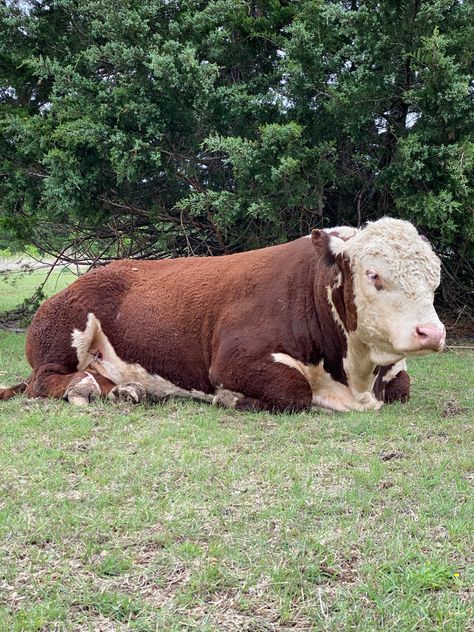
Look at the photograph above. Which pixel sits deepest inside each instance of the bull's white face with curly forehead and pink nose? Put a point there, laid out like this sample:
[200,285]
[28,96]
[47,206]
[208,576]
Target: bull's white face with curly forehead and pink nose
[395,274]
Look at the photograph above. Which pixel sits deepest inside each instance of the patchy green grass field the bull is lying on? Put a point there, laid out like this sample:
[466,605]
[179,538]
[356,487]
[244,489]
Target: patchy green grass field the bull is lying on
[187,517]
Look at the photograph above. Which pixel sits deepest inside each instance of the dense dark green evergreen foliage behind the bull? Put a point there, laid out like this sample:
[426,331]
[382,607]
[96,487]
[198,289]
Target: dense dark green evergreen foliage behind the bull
[165,128]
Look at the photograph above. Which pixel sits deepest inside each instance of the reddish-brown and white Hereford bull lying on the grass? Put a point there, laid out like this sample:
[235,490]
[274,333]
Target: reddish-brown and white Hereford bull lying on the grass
[325,320]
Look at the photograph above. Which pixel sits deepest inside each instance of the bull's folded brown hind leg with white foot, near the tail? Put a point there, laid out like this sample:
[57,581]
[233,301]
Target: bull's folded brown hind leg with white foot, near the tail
[80,387]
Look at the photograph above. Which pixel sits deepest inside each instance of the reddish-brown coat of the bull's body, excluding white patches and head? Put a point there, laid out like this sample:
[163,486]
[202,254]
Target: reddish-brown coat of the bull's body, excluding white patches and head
[202,322]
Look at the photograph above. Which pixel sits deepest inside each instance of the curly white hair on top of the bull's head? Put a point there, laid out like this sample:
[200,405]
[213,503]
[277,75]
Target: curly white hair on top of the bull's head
[399,246]
